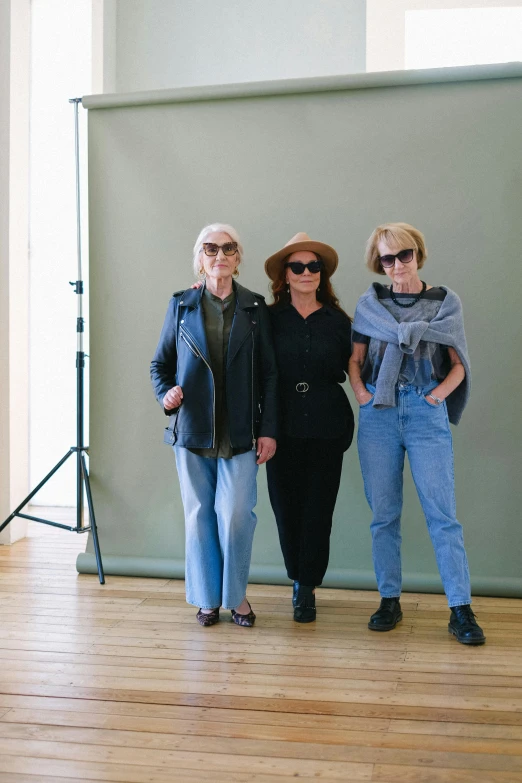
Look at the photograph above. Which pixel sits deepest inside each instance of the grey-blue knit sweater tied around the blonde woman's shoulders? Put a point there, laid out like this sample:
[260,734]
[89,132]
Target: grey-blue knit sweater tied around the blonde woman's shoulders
[374,320]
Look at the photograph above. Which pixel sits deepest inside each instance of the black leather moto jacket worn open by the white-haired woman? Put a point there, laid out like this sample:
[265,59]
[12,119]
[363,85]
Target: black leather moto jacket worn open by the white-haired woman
[182,359]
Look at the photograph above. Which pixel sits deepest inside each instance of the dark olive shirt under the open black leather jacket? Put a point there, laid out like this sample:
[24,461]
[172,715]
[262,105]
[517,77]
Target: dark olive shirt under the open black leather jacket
[218,315]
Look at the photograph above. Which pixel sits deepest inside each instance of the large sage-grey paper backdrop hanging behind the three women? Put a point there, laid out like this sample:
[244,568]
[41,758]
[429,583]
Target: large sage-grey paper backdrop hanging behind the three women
[334,163]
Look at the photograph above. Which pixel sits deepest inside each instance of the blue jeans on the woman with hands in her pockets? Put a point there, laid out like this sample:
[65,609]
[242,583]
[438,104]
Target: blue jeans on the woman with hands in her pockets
[421,429]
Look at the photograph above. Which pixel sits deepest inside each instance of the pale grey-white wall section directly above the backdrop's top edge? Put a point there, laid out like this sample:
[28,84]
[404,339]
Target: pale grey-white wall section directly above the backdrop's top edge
[171,43]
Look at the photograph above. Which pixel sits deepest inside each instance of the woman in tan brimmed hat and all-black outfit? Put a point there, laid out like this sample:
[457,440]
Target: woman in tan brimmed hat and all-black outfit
[312,337]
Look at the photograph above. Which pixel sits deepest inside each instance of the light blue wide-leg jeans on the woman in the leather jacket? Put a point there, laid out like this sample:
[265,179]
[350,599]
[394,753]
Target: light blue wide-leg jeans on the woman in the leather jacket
[218,496]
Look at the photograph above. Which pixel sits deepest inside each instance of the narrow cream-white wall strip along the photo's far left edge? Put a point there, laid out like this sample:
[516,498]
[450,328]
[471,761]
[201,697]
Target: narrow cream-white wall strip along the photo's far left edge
[14,175]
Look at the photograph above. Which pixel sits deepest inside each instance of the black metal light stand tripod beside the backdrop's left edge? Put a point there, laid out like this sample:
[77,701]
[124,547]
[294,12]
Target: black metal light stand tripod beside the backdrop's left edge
[82,474]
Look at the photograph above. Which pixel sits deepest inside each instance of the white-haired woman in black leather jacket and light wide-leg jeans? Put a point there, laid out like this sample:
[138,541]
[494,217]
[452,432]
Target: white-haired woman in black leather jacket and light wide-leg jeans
[214,373]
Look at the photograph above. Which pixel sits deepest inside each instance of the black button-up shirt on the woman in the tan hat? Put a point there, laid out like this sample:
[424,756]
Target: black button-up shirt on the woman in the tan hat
[312,353]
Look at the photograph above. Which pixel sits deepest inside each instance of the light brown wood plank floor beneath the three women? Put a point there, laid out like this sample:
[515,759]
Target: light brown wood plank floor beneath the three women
[119,683]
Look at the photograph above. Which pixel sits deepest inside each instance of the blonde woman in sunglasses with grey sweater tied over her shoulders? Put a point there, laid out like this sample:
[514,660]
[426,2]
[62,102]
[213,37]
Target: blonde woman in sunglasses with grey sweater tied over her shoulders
[409,370]
